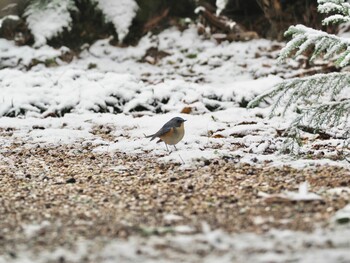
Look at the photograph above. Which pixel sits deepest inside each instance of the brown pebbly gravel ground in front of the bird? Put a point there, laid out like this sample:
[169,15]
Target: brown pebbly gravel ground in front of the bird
[55,196]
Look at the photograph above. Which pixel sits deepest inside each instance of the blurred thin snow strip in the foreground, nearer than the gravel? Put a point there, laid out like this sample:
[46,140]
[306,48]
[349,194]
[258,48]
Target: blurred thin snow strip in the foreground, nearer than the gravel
[322,246]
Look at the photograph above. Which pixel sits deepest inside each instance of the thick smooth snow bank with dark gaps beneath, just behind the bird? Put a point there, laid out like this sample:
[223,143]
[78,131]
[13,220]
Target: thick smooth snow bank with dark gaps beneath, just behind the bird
[45,93]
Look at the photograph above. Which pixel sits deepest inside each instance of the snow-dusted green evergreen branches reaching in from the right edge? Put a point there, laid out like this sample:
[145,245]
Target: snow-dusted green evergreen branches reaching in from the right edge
[321,100]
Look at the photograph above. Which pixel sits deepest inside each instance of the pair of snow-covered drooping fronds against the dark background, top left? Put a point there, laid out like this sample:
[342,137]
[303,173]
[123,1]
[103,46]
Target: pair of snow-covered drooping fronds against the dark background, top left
[47,18]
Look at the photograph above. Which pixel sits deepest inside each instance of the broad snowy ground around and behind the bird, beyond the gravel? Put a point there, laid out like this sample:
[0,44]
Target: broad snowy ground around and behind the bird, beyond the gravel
[138,98]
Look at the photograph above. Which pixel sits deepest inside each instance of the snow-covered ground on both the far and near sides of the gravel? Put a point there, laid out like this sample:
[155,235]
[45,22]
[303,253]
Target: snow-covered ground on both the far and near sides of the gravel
[129,92]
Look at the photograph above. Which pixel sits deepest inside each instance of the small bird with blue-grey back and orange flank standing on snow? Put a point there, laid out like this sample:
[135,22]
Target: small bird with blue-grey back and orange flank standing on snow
[171,133]
